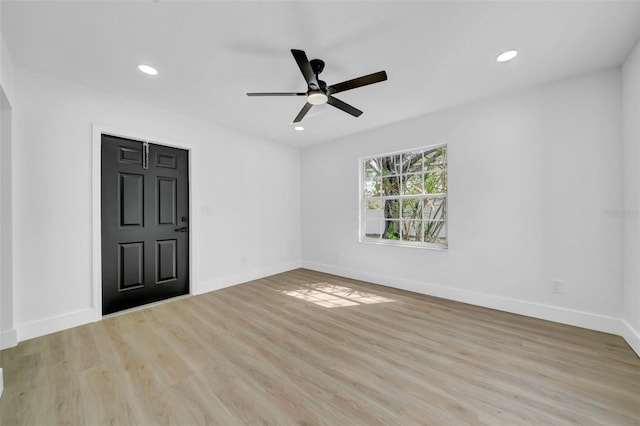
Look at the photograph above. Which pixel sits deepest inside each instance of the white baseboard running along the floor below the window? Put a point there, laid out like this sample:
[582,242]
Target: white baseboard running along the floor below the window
[536,310]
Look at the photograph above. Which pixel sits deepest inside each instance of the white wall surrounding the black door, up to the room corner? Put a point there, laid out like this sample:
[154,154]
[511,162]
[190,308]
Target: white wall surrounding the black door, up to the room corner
[250,185]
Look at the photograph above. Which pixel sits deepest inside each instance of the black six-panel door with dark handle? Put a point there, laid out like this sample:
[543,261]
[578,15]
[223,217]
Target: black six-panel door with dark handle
[145,213]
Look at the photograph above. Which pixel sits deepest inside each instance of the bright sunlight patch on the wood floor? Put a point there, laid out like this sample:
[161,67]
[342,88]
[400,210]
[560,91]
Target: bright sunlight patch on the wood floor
[335,296]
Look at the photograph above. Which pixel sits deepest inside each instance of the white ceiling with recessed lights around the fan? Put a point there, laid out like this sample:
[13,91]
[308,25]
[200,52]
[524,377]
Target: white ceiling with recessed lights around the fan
[210,53]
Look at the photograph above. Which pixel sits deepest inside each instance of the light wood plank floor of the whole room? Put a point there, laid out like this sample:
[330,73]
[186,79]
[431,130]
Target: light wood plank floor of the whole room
[273,352]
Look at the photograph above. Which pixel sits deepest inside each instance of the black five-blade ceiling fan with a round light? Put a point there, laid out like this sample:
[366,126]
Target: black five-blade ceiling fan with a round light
[318,92]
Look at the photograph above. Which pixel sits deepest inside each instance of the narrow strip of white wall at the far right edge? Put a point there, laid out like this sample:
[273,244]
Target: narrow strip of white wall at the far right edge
[631,216]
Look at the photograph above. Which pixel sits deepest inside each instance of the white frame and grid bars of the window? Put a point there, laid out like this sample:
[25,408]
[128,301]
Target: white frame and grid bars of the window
[364,200]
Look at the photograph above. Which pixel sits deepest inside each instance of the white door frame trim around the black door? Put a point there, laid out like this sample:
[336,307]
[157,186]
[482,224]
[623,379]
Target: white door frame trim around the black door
[96,206]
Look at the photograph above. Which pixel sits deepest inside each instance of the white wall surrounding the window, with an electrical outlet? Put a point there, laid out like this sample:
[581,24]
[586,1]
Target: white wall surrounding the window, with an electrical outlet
[533,177]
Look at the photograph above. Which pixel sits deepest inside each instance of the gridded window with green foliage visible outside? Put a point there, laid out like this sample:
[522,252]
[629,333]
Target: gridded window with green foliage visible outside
[404,198]
